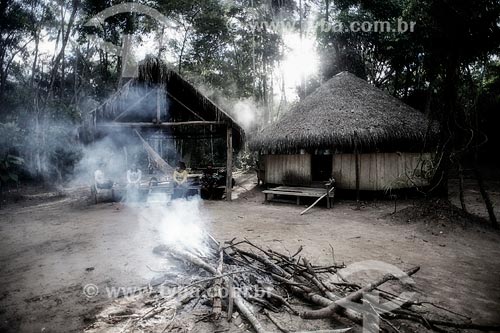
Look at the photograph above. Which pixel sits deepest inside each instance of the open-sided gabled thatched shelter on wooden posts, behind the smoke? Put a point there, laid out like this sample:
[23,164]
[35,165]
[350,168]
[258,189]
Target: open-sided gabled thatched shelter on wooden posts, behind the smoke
[176,119]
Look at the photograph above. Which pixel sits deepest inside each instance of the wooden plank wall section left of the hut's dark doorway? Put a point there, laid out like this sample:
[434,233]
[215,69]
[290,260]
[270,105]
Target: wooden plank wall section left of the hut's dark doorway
[279,167]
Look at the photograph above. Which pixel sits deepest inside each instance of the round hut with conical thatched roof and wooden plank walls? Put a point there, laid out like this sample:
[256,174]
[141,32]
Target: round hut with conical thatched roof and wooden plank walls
[348,129]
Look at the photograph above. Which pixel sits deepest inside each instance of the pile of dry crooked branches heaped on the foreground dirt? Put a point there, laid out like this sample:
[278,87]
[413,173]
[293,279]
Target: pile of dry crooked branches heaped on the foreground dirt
[243,280]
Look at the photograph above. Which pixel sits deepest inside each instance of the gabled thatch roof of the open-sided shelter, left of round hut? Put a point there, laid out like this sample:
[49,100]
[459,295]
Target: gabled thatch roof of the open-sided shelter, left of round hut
[136,101]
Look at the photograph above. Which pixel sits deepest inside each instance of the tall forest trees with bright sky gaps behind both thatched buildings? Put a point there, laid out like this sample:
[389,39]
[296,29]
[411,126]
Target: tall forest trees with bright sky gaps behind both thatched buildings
[254,58]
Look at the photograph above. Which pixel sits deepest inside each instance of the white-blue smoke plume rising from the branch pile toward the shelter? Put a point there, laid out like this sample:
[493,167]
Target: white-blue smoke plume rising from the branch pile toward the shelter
[179,223]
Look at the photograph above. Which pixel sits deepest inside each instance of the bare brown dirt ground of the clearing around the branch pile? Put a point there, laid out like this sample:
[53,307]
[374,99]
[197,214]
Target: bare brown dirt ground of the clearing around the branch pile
[50,248]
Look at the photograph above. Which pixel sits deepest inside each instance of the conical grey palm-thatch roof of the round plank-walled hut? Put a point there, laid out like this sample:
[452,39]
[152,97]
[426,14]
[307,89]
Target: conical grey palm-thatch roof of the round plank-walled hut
[344,112]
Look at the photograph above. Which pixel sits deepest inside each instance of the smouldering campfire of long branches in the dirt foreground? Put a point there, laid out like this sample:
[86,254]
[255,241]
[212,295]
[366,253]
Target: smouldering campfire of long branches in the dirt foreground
[239,285]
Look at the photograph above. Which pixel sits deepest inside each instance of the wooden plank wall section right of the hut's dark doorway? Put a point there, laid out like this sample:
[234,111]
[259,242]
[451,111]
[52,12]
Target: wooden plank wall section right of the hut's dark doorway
[378,171]
